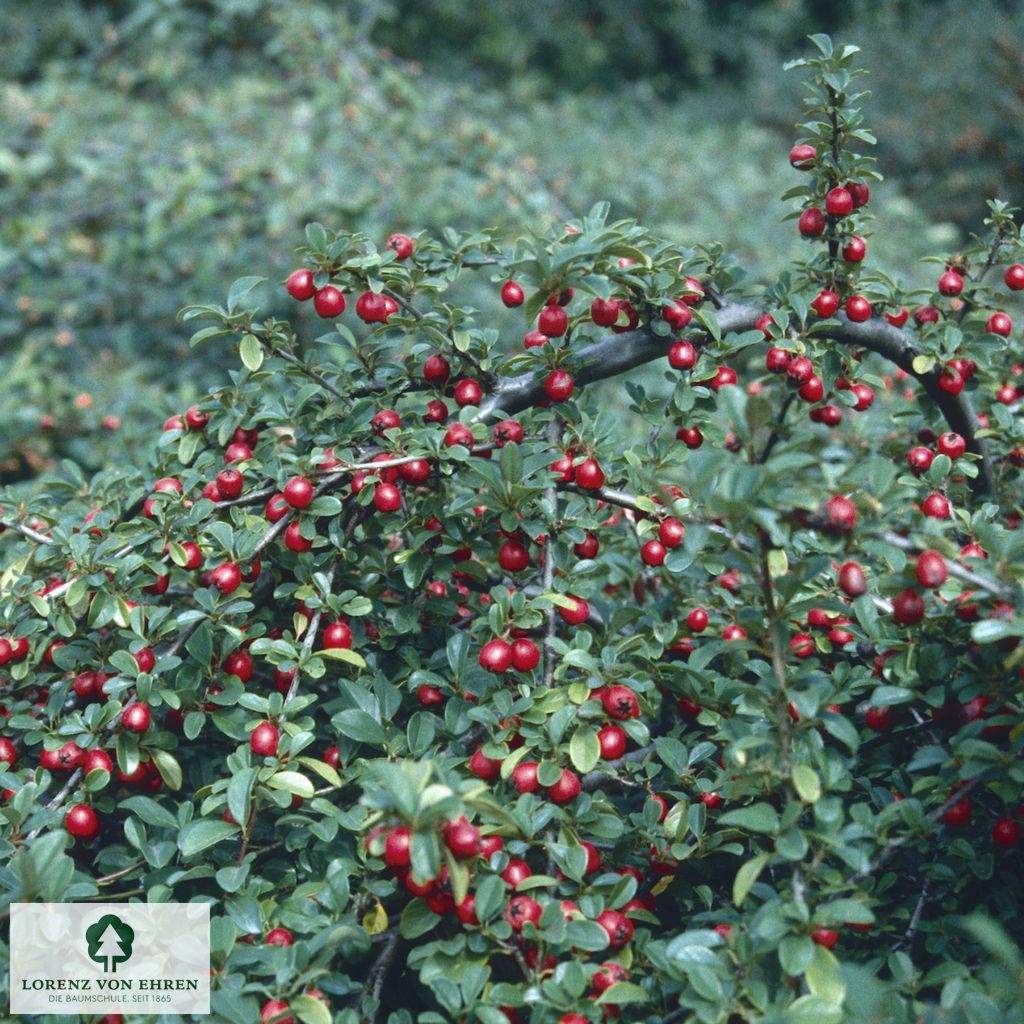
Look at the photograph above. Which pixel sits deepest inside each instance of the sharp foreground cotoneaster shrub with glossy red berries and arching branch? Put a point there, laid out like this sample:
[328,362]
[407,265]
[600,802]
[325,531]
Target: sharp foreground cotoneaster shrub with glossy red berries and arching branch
[636,645]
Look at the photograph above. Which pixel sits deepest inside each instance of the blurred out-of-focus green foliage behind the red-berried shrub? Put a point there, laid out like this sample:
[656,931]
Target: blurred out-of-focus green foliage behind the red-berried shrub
[153,151]
